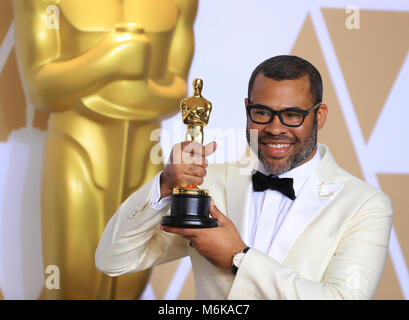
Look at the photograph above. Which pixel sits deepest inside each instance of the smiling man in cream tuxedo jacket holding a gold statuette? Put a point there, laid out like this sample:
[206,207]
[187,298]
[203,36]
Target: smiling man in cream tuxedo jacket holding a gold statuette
[324,235]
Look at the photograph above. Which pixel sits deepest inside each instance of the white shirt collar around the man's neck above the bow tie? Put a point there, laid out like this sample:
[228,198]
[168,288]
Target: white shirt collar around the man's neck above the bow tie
[299,174]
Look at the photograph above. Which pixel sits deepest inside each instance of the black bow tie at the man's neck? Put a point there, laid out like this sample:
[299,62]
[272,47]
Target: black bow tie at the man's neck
[284,185]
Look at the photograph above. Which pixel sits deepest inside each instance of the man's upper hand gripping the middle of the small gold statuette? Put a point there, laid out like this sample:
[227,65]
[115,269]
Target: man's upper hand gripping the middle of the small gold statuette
[187,166]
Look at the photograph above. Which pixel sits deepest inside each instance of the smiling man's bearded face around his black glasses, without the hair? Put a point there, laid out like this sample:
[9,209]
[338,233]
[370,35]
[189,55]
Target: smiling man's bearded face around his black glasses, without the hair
[282,148]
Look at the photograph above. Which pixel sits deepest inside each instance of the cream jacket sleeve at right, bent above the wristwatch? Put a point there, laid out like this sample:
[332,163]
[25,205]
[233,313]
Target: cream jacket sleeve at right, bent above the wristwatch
[354,271]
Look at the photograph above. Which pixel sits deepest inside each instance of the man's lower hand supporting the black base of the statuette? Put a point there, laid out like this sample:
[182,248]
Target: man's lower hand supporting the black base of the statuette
[218,245]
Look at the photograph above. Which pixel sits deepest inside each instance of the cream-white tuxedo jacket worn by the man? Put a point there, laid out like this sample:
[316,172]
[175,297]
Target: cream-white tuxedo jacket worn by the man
[332,244]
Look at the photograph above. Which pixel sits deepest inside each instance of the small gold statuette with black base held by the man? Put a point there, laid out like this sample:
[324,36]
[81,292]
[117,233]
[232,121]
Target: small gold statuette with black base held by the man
[189,204]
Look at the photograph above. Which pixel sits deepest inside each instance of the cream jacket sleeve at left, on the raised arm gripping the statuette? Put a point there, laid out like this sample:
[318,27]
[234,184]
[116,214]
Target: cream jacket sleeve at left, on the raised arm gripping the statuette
[132,240]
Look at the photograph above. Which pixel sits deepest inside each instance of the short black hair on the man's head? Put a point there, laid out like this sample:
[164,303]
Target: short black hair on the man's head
[288,67]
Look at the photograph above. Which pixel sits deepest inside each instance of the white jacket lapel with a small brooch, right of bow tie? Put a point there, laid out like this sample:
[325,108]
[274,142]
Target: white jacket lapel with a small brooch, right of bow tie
[315,195]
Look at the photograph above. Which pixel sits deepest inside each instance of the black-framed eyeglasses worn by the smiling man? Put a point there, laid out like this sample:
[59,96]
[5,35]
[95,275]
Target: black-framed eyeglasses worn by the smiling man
[290,117]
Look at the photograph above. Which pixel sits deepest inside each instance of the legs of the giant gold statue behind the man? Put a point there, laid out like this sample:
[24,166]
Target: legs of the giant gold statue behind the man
[76,206]
